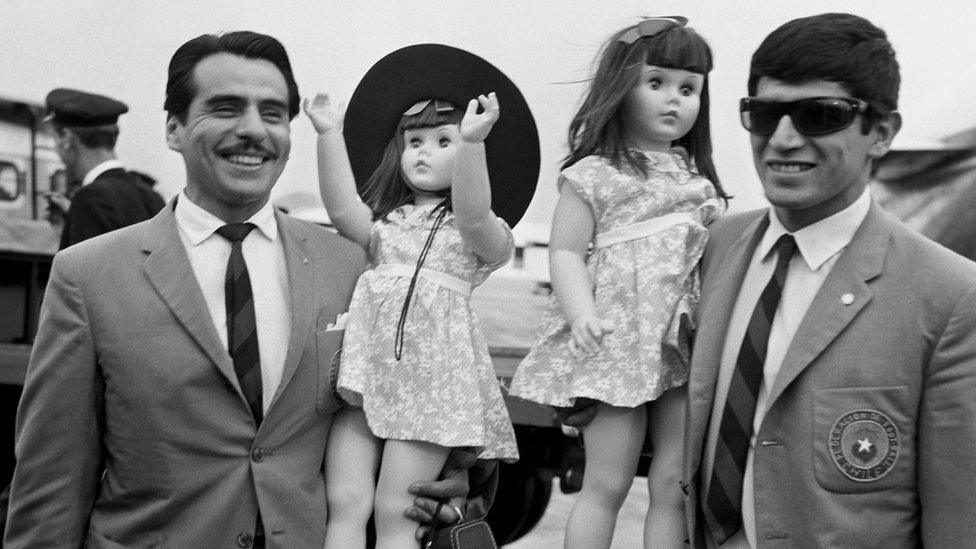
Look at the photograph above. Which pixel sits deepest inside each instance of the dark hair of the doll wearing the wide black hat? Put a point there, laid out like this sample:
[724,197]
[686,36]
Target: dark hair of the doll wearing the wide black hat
[387,189]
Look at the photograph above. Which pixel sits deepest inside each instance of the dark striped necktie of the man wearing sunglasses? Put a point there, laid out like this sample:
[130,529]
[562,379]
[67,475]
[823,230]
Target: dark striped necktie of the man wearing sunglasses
[723,504]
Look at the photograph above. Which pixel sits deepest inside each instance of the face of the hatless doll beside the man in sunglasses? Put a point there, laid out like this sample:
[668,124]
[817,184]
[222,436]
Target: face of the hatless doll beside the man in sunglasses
[662,107]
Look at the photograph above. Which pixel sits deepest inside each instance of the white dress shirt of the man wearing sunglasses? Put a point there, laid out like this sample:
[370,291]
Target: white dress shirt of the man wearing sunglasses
[818,247]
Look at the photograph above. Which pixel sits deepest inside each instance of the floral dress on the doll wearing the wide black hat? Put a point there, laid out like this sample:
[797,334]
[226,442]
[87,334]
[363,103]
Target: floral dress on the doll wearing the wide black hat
[443,389]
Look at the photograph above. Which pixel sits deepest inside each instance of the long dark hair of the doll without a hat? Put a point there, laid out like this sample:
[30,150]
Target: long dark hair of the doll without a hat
[598,126]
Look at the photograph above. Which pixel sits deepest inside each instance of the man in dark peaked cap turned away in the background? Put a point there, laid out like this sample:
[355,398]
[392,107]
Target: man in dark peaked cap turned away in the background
[110,198]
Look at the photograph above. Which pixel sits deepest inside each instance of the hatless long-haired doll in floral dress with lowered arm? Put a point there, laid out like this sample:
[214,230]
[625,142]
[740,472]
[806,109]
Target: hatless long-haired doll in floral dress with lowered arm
[636,193]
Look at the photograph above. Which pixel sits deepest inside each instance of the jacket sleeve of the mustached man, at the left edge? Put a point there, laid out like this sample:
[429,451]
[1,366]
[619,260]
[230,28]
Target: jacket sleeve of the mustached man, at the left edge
[59,424]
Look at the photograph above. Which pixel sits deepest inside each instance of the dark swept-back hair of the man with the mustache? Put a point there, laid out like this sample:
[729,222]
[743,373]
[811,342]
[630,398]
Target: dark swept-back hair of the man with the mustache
[251,45]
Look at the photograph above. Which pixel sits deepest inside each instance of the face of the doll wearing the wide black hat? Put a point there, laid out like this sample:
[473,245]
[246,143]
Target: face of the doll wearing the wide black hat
[428,157]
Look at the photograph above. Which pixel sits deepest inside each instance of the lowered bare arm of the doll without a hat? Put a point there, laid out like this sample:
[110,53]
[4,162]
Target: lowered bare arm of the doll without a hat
[572,230]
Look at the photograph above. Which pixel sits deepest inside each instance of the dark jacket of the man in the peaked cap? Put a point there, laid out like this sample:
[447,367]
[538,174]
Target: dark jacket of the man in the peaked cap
[115,199]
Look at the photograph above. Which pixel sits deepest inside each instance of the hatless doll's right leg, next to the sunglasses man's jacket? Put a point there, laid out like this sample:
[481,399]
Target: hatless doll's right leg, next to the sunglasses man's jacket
[665,524]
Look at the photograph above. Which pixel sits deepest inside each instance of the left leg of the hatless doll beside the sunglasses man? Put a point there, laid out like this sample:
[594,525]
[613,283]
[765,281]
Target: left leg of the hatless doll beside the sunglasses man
[613,442]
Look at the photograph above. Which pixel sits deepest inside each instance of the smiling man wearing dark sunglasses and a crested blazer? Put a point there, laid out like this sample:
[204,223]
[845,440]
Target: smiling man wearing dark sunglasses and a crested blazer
[833,383]
